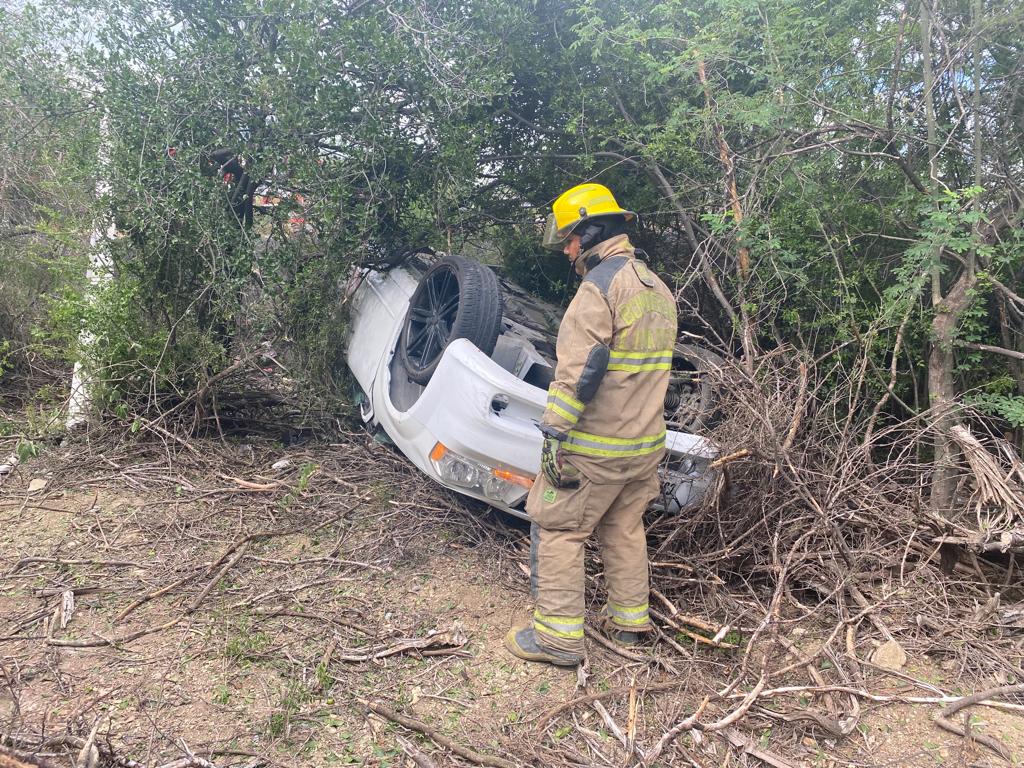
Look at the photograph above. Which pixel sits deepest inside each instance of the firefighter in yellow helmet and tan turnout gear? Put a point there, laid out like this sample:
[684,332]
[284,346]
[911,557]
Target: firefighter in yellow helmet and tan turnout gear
[604,432]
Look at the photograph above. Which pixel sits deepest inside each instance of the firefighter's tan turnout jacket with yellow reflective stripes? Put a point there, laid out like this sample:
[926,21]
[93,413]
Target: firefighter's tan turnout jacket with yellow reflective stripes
[615,356]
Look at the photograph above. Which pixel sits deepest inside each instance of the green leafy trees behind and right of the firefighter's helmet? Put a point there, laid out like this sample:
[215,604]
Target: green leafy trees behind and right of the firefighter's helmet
[840,177]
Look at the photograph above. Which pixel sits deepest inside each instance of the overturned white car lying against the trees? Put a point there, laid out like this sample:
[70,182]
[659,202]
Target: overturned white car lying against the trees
[454,366]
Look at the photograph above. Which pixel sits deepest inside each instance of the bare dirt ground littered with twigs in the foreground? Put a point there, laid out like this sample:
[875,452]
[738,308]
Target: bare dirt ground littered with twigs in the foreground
[257,616]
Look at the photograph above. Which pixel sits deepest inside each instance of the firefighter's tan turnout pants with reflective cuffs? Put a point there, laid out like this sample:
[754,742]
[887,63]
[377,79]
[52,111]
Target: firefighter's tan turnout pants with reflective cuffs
[563,521]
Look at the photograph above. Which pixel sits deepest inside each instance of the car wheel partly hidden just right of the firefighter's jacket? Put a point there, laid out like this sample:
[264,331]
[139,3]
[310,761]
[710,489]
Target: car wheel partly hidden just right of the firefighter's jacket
[692,403]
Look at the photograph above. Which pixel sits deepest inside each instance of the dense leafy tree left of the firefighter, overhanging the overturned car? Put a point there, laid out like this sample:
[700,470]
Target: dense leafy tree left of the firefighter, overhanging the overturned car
[351,117]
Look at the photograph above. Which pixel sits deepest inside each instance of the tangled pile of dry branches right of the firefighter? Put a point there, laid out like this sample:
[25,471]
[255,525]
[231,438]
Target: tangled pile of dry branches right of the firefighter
[822,515]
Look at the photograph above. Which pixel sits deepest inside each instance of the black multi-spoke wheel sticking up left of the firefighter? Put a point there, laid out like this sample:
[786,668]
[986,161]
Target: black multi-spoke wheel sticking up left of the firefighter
[456,300]
